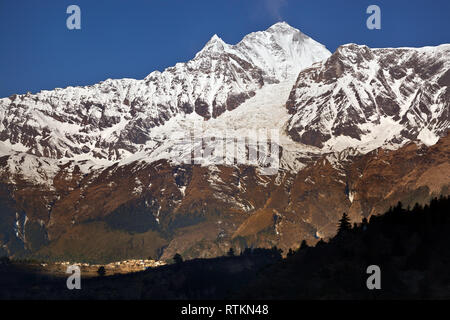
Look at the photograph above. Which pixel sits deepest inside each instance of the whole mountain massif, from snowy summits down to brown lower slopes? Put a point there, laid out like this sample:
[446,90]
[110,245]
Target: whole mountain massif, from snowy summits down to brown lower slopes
[88,173]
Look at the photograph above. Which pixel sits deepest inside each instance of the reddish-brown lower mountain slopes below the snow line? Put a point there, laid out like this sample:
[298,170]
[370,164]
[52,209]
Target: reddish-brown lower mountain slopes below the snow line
[159,209]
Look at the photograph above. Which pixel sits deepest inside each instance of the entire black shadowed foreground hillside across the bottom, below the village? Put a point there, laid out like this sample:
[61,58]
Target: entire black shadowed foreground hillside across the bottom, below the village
[410,245]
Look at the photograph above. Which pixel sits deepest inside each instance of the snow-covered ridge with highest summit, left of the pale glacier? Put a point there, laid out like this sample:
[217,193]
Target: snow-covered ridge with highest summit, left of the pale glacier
[115,118]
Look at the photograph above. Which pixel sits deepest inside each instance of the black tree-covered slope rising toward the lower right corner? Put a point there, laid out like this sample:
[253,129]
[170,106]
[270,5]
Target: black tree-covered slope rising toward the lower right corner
[410,245]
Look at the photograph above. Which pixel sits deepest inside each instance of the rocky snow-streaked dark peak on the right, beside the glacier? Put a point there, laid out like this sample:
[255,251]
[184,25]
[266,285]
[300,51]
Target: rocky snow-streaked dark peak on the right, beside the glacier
[361,94]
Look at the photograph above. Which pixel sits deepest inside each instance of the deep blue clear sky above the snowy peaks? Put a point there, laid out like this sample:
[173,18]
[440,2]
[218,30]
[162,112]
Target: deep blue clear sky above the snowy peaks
[134,37]
